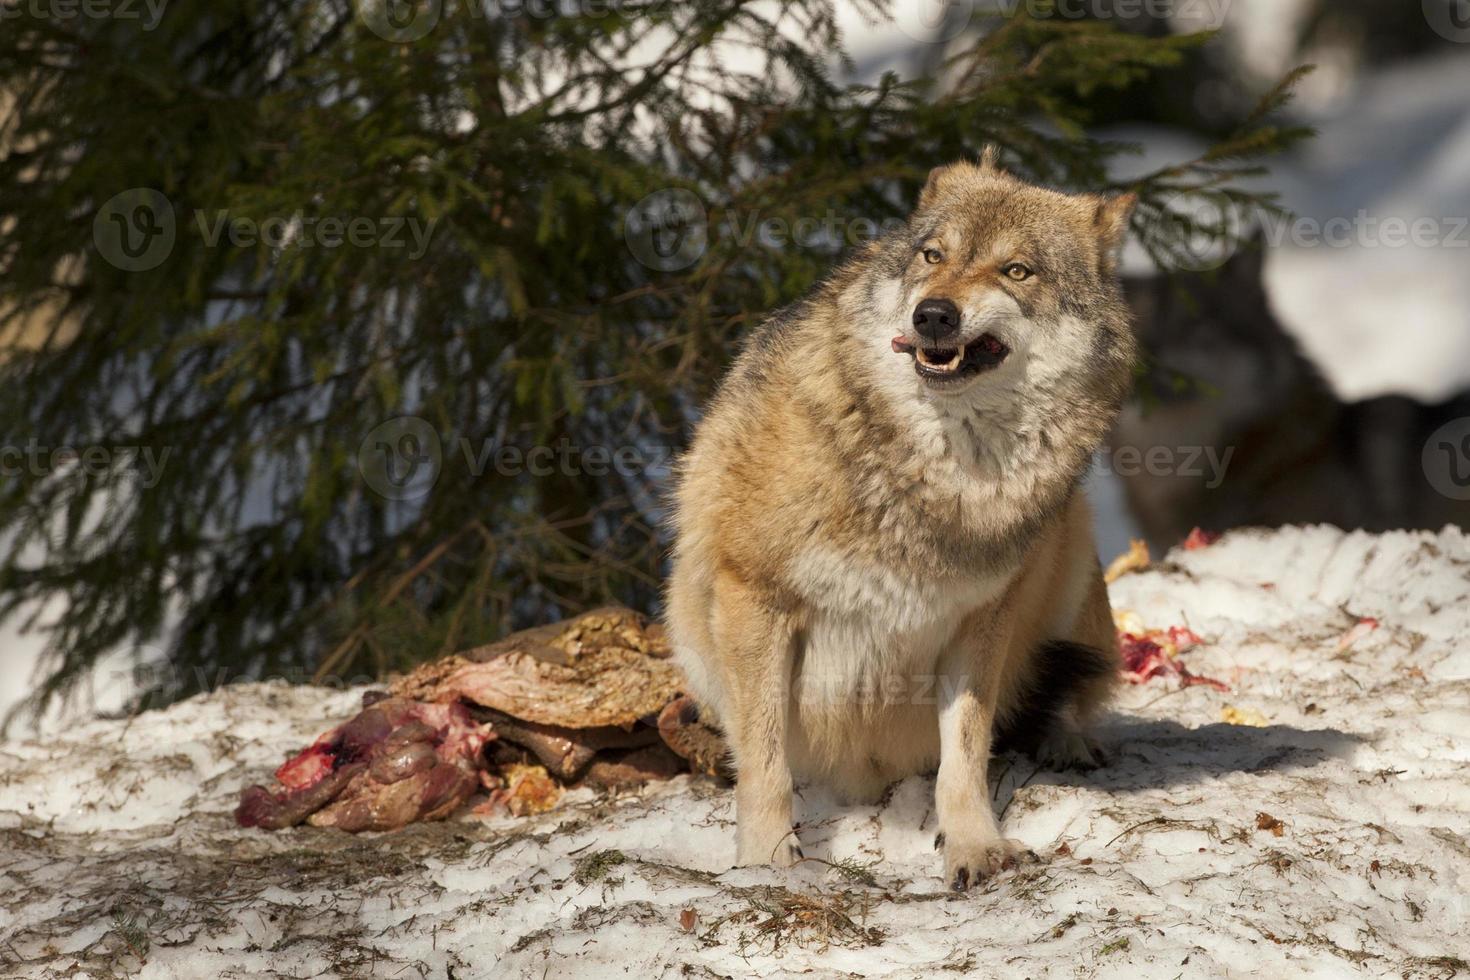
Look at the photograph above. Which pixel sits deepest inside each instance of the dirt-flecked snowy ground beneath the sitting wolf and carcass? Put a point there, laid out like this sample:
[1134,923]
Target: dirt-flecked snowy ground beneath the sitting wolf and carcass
[1330,841]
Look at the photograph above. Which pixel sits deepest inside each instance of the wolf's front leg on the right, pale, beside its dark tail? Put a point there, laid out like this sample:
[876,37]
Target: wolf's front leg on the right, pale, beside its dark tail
[969,834]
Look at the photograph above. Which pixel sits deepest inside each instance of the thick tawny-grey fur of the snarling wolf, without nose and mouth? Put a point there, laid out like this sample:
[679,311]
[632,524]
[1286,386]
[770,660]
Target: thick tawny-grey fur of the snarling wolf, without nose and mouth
[875,574]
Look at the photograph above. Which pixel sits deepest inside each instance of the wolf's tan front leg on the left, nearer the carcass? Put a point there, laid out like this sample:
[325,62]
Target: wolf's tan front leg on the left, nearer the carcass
[756,655]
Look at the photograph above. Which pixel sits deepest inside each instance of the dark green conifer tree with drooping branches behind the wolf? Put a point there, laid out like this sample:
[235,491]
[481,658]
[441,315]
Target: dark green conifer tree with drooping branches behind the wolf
[387,320]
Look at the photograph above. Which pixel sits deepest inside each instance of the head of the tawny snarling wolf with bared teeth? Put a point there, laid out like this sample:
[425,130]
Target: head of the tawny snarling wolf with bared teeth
[1000,283]
